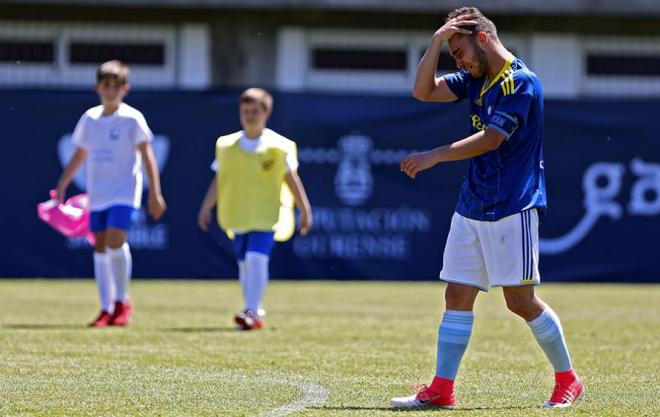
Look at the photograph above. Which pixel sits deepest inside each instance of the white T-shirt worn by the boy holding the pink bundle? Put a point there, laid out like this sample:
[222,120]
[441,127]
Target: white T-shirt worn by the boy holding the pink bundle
[114,165]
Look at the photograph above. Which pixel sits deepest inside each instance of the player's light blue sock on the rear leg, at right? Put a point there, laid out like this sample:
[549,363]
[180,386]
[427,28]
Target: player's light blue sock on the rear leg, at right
[547,331]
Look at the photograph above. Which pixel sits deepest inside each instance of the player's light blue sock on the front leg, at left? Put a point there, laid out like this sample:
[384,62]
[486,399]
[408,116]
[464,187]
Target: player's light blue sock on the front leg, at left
[453,337]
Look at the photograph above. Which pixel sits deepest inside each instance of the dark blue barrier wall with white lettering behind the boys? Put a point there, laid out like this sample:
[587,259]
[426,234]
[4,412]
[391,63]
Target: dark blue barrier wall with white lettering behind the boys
[602,161]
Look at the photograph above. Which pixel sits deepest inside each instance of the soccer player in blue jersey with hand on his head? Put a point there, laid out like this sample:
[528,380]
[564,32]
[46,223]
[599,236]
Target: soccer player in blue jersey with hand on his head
[493,239]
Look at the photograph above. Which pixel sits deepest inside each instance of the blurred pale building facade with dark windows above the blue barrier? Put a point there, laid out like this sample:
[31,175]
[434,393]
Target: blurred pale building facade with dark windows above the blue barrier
[579,50]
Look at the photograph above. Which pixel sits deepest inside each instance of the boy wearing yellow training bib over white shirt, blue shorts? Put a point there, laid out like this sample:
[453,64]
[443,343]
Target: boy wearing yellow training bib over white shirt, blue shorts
[255,186]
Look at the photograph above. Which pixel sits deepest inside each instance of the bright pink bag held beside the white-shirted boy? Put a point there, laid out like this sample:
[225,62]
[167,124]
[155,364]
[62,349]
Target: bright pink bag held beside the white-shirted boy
[70,218]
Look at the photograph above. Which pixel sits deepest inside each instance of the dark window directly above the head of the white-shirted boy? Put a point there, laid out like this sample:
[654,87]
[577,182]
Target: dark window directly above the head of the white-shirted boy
[130,53]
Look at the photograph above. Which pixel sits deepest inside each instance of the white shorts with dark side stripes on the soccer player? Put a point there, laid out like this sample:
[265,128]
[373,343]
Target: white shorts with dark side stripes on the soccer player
[502,253]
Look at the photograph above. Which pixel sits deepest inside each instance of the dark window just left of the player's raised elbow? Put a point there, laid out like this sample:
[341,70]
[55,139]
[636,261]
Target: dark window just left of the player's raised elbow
[359,59]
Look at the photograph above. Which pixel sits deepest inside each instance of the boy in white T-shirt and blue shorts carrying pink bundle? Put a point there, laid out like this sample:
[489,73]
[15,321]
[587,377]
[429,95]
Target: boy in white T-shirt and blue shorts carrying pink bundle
[114,139]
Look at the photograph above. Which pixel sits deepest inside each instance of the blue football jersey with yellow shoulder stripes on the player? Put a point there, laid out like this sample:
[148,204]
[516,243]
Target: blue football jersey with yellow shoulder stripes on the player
[509,179]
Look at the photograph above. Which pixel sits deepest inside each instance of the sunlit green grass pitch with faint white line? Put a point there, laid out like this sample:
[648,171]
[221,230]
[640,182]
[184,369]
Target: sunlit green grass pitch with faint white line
[329,349]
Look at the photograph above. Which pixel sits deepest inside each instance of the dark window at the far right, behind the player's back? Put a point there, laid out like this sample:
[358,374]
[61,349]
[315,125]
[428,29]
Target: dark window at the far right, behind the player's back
[635,65]
